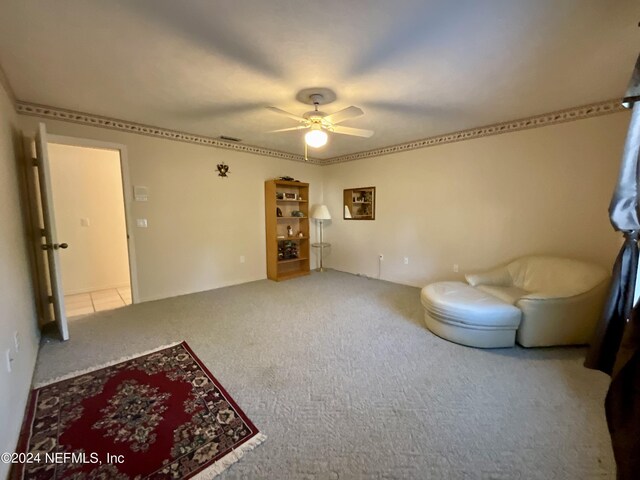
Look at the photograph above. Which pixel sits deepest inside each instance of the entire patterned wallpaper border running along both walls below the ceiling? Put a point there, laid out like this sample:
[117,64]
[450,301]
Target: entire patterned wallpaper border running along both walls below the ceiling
[561,116]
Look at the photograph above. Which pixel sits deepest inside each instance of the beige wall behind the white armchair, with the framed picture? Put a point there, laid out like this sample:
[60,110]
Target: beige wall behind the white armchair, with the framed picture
[480,202]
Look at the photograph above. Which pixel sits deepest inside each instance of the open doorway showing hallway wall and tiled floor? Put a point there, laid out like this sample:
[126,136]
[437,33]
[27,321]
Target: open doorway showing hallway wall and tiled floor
[88,188]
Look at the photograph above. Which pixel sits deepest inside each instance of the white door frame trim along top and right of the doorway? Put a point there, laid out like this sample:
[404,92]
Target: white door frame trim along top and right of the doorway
[127,194]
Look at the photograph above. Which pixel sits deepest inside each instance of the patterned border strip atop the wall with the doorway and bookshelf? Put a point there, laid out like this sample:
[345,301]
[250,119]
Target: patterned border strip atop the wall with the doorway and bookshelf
[33,109]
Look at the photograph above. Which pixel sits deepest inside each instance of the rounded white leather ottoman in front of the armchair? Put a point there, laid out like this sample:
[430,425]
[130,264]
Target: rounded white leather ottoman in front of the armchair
[460,313]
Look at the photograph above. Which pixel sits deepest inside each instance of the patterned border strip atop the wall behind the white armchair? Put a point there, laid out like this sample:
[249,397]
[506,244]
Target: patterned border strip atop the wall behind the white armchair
[536,121]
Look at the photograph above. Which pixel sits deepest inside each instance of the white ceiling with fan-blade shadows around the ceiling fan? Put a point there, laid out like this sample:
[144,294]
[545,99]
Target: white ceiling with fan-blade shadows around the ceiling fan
[417,68]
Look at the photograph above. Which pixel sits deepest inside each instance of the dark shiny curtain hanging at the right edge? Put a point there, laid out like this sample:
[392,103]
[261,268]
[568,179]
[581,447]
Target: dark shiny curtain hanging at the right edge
[615,348]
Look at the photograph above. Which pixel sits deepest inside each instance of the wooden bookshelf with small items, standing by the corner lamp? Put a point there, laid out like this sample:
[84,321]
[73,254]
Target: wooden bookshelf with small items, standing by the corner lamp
[287,257]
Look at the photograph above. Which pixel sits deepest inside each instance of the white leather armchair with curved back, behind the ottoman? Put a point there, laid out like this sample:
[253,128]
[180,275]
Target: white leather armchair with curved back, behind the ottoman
[561,299]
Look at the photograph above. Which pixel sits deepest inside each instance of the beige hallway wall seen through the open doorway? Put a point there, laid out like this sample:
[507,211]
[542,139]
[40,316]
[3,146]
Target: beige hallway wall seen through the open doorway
[87,185]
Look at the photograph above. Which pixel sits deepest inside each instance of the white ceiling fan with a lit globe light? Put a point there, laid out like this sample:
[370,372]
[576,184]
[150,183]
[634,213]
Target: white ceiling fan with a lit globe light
[319,123]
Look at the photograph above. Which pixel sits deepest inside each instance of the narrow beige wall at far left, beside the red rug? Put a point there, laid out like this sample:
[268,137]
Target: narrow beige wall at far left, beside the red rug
[17,304]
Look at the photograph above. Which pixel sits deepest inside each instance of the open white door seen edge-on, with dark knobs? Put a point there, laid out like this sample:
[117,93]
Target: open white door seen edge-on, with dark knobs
[51,247]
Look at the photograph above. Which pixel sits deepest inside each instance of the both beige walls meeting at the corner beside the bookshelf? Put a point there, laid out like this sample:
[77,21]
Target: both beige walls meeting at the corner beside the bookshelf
[474,203]
